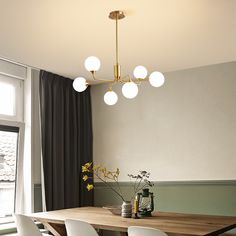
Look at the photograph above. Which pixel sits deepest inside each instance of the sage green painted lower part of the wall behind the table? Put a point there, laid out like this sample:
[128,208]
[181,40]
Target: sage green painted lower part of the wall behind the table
[202,197]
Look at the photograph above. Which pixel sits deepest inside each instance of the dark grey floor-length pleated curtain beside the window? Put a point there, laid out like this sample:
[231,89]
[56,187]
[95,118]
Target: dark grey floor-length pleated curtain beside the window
[66,127]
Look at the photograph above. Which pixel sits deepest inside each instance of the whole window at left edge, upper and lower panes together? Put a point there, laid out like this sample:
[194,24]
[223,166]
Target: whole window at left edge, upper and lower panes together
[11,141]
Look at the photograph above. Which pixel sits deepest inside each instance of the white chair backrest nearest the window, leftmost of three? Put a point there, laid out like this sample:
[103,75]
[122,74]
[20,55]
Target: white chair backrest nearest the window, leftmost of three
[25,226]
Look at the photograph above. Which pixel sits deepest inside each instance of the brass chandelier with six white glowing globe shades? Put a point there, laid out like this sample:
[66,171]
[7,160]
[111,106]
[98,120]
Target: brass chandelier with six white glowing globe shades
[130,85]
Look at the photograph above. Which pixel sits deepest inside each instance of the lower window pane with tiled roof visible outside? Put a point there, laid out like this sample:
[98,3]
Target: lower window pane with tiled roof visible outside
[8,159]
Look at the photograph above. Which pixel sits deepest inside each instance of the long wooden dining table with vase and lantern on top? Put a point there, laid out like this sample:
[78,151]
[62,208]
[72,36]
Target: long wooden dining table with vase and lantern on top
[171,223]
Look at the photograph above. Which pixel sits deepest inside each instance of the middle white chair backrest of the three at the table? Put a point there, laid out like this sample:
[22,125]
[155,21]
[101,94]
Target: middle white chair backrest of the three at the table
[77,227]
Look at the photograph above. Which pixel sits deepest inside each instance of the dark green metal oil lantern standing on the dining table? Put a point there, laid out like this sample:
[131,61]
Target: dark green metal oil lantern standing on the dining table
[146,203]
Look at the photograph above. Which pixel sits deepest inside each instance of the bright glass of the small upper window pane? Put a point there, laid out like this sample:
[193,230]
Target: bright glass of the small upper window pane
[7,99]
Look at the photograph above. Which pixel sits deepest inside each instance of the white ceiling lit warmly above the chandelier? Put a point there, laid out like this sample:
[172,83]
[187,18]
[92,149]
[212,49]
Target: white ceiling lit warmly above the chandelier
[164,35]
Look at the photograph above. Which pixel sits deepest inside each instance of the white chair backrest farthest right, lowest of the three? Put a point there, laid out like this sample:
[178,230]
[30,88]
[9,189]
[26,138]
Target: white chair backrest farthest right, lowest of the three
[144,231]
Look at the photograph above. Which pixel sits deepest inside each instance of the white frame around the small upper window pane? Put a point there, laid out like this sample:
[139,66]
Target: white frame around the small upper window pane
[19,93]
